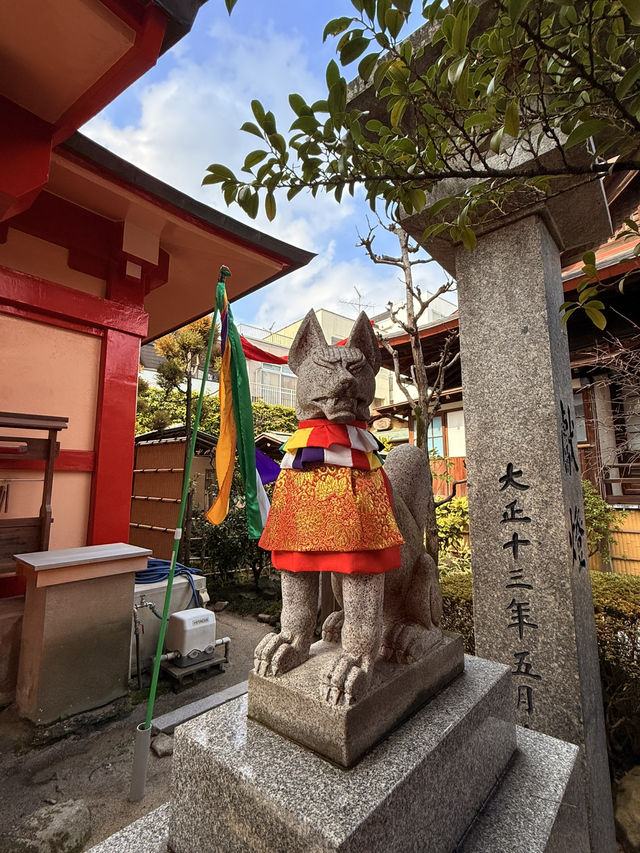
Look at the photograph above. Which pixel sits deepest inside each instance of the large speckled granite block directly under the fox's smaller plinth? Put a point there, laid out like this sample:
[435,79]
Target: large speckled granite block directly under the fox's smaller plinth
[241,787]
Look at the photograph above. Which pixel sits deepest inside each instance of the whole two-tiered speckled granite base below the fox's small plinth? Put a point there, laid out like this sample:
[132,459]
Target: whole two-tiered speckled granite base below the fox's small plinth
[457,776]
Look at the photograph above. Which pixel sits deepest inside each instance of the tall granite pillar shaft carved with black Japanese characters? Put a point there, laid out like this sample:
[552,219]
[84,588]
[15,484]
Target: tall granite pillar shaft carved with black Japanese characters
[533,607]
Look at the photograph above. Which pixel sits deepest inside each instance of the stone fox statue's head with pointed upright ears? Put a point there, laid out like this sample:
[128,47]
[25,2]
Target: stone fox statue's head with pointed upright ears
[334,382]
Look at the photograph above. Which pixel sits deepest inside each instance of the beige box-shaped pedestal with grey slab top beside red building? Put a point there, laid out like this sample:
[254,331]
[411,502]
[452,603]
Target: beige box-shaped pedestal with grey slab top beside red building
[76,631]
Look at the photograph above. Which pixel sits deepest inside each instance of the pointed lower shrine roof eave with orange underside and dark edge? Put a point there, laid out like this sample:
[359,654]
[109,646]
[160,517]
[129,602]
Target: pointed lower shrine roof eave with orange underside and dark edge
[197,238]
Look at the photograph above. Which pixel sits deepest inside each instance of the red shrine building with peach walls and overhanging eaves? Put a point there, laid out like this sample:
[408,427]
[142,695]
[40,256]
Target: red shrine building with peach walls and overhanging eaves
[96,257]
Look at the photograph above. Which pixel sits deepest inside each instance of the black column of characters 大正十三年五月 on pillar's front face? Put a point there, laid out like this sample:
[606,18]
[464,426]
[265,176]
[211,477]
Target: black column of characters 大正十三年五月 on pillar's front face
[520,610]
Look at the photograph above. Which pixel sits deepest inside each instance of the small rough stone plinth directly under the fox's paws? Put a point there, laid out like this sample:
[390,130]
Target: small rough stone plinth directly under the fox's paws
[292,704]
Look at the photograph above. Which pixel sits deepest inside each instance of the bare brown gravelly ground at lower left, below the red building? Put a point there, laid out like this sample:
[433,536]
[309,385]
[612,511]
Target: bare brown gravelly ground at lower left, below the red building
[96,765]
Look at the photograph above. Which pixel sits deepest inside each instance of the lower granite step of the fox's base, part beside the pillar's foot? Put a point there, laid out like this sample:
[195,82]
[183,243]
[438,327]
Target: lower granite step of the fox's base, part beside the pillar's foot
[539,805]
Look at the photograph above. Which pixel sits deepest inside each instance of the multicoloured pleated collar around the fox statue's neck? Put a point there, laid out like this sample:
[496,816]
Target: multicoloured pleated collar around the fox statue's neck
[321,442]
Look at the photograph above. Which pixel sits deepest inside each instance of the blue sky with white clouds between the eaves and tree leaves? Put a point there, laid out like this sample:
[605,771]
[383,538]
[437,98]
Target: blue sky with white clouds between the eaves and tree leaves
[186,113]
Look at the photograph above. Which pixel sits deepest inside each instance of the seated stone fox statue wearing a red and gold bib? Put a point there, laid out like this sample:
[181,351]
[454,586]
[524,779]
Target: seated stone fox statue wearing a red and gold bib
[336,509]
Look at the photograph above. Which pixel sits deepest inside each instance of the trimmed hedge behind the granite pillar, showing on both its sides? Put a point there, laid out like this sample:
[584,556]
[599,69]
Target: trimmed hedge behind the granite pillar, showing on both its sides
[616,601]
